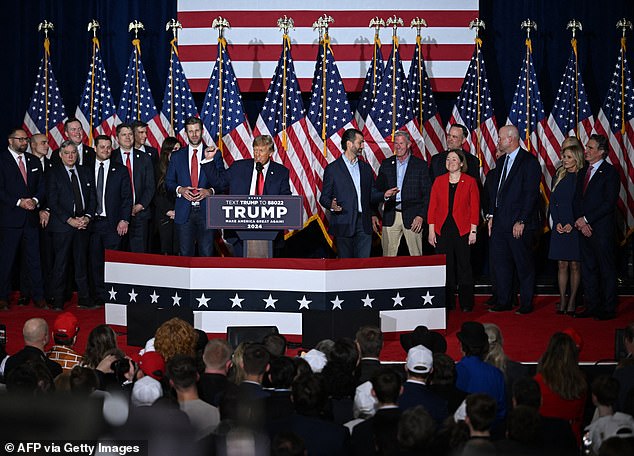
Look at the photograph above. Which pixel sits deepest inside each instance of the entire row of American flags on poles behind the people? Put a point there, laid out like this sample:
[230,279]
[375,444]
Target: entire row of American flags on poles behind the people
[308,138]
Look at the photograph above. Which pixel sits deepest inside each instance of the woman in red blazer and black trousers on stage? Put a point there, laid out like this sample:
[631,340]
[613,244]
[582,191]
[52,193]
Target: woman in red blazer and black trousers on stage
[453,216]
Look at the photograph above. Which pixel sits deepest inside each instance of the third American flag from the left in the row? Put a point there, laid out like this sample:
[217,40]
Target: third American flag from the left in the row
[137,102]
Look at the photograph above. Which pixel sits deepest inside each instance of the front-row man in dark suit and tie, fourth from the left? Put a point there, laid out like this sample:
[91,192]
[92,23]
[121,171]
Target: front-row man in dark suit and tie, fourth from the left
[141,174]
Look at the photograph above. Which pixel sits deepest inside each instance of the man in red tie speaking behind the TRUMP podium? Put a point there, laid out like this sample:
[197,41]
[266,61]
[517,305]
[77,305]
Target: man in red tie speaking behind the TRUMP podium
[256,176]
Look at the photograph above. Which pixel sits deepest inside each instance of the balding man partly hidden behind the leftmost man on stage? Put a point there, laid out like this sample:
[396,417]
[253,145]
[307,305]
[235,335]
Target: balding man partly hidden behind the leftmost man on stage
[39,149]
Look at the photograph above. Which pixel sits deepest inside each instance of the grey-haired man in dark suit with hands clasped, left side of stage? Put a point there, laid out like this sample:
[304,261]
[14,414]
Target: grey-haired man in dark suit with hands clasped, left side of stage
[71,199]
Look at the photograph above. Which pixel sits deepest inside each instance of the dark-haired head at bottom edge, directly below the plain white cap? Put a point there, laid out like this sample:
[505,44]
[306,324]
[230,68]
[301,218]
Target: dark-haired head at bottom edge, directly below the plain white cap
[416,429]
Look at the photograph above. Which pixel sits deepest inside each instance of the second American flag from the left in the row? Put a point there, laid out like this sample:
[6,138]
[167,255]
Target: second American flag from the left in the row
[96,109]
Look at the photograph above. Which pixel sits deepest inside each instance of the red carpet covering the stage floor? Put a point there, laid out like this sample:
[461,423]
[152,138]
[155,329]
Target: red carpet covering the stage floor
[525,336]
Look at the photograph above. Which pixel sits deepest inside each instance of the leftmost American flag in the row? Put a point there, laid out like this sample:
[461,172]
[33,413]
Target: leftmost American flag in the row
[46,113]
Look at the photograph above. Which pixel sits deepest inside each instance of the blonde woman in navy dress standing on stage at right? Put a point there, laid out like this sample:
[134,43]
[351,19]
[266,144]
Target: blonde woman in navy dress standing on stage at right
[564,240]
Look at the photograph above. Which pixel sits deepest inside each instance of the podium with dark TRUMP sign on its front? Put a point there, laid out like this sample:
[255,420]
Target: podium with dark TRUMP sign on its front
[257,220]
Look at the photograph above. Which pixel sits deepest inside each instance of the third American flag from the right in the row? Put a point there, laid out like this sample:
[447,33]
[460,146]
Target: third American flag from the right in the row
[527,114]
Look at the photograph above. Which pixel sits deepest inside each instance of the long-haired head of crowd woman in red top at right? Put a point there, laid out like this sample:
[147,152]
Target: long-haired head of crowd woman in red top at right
[560,369]
